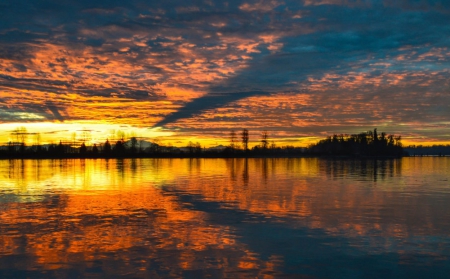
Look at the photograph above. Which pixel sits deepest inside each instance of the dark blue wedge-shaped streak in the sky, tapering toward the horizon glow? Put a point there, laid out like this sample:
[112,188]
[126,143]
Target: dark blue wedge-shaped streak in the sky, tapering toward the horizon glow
[344,37]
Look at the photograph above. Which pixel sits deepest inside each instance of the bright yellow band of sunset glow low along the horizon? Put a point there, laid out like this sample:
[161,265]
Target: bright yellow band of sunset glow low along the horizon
[92,132]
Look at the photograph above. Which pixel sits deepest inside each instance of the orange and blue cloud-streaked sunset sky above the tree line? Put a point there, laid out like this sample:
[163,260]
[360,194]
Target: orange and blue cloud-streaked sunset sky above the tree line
[180,71]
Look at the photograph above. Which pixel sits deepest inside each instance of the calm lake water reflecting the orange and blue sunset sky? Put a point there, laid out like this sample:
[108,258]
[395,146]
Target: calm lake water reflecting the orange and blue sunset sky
[225,218]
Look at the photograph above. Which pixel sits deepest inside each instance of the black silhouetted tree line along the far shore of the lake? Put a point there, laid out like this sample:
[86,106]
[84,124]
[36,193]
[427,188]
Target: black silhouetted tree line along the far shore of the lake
[366,144]
